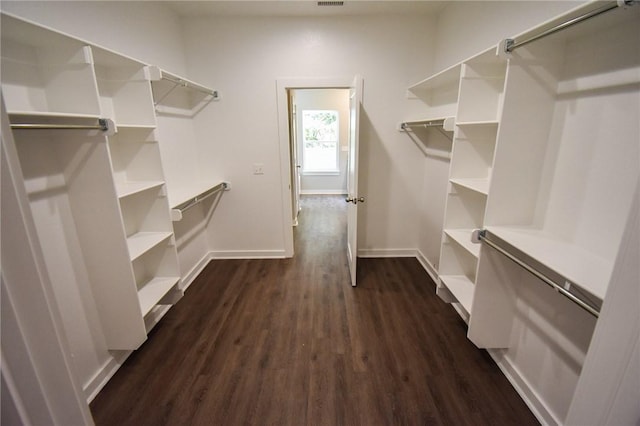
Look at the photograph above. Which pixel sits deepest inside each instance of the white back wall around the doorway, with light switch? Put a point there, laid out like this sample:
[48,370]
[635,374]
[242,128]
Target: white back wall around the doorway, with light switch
[243,58]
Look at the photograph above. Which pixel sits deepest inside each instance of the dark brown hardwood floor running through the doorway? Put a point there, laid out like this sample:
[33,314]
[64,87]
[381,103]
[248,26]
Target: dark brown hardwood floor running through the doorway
[290,342]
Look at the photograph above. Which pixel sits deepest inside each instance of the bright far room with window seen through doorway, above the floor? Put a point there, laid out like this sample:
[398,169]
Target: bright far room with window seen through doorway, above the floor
[319,143]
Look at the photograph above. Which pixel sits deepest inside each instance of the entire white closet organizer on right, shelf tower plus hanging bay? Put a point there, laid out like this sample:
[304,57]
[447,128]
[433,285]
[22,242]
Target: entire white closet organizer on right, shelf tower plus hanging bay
[545,159]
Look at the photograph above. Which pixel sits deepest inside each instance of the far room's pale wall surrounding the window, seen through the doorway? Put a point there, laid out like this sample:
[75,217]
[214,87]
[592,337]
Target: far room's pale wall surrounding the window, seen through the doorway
[329,99]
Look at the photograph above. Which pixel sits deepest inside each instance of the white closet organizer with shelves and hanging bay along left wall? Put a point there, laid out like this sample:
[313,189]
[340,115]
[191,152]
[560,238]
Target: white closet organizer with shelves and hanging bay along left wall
[98,197]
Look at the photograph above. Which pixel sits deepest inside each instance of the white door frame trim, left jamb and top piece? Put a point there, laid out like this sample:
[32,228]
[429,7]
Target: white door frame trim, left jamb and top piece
[282,87]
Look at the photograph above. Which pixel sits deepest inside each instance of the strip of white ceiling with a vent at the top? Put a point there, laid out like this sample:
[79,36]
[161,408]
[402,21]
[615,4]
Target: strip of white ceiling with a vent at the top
[188,8]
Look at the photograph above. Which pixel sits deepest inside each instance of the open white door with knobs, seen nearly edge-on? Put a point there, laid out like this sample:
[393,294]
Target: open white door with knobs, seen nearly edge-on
[353,198]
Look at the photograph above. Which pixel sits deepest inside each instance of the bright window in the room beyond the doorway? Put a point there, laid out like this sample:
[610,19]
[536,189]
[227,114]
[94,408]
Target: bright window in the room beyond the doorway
[320,141]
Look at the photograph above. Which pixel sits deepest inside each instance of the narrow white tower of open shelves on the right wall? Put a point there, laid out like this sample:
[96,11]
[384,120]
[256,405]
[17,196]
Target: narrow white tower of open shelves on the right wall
[471,92]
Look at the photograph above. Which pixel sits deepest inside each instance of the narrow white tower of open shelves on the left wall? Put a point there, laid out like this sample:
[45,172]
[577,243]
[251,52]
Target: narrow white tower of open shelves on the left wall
[125,96]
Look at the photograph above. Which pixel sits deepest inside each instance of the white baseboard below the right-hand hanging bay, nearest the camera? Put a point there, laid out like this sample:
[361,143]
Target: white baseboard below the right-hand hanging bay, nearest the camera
[524,389]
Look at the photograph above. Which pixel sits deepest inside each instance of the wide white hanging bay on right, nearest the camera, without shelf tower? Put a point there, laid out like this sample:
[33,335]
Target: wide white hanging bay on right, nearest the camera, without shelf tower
[562,183]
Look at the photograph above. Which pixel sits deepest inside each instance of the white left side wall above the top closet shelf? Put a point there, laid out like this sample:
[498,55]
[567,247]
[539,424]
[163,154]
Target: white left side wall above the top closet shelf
[147,31]
